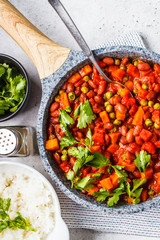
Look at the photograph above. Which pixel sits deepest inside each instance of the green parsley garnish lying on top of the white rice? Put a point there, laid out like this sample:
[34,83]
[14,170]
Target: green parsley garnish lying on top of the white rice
[18,222]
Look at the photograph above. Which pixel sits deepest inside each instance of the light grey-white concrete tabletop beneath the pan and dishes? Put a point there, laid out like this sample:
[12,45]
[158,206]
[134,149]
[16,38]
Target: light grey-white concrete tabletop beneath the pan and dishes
[98,21]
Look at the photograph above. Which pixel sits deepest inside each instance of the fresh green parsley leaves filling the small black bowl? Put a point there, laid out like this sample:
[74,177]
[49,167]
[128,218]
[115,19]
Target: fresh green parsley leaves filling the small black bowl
[12,88]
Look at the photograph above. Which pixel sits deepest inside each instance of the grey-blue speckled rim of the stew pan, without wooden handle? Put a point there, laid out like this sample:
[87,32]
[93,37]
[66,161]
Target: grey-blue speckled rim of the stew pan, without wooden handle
[55,79]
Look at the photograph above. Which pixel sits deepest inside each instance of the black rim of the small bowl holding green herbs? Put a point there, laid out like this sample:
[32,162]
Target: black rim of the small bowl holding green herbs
[19,66]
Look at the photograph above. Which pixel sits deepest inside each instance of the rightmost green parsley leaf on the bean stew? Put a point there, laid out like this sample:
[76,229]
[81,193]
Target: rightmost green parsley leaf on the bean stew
[142,161]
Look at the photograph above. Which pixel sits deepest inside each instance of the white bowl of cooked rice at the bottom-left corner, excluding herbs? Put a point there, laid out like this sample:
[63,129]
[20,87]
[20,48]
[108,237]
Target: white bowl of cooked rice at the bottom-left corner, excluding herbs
[32,196]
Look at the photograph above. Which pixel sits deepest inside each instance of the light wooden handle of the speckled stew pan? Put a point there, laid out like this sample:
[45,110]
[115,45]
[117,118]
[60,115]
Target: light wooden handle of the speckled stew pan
[46,55]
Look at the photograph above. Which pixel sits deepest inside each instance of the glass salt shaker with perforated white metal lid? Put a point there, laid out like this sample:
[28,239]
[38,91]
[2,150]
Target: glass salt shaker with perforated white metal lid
[16,141]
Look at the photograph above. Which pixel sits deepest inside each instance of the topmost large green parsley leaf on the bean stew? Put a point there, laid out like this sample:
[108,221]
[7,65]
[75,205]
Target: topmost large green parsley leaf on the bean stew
[85,113]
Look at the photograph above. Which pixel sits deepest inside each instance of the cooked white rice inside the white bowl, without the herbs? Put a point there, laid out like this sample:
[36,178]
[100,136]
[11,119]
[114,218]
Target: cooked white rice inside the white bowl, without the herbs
[31,197]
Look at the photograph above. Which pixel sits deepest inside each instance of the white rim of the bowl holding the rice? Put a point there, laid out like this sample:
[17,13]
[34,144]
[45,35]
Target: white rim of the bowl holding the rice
[59,222]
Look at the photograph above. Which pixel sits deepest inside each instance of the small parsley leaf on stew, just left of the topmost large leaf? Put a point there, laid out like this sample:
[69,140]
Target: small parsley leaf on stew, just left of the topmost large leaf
[65,120]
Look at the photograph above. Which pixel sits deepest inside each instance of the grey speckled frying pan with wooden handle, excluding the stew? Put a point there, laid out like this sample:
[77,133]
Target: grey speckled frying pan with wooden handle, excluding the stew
[55,65]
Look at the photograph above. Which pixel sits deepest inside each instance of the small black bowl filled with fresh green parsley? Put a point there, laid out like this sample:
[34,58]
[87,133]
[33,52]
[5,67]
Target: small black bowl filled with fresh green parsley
[14,87]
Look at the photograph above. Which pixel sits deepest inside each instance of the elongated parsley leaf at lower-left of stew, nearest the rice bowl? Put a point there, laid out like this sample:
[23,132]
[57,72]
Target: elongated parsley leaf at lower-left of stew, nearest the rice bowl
[85,183]
